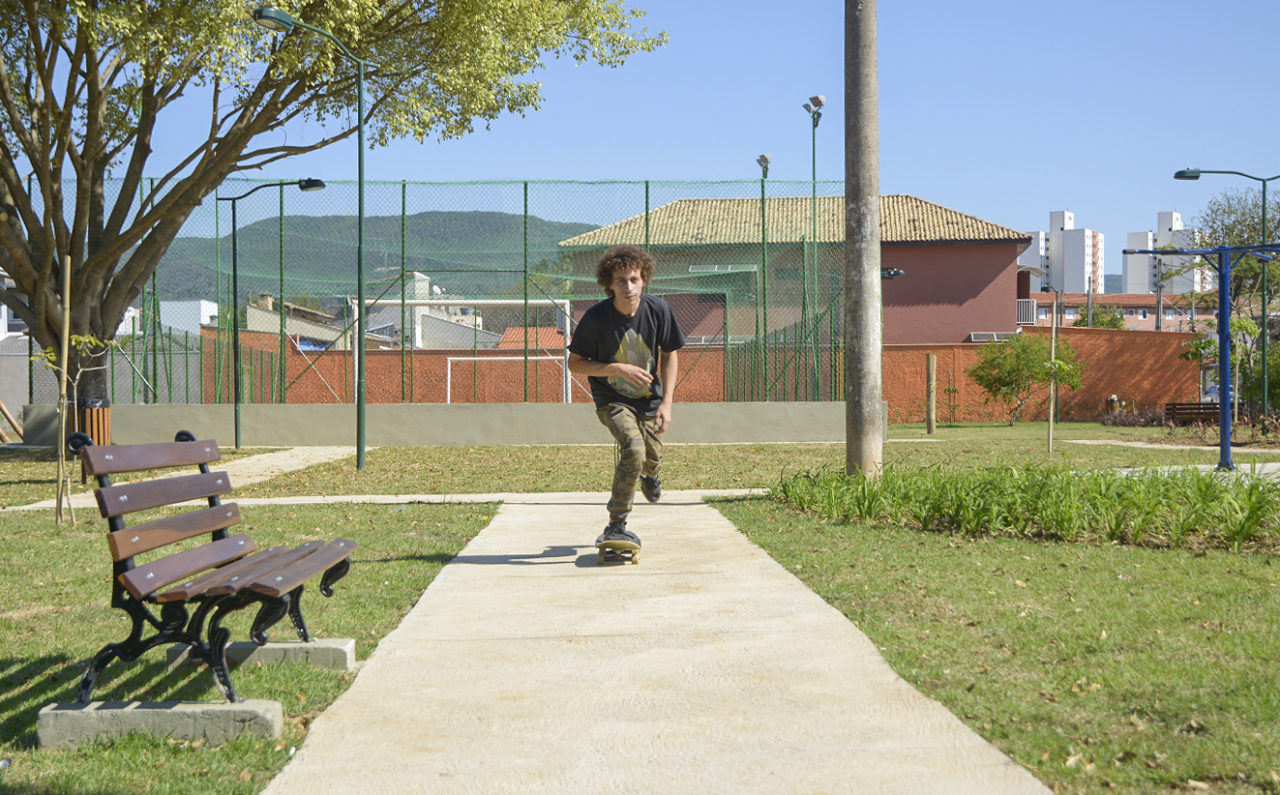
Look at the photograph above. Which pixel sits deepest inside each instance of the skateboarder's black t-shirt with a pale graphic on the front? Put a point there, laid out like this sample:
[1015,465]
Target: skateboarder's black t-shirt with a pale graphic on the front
[607,336]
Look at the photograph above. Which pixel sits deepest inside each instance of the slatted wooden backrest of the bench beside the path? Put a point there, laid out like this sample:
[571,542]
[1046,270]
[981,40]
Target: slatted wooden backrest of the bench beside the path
[193,538]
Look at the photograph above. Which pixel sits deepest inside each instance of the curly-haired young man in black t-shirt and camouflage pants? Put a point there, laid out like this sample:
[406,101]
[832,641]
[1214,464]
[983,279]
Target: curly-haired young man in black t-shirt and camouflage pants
[627,345]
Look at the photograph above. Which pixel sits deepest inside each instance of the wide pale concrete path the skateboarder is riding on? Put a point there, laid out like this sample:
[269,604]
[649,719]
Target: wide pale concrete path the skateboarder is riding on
[527,668]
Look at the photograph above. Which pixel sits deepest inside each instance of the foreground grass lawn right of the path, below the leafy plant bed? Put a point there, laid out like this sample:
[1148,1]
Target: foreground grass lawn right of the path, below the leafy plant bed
[1094,666]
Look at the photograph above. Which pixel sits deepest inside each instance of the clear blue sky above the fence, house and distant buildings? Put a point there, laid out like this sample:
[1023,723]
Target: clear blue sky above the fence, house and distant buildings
[1005,109]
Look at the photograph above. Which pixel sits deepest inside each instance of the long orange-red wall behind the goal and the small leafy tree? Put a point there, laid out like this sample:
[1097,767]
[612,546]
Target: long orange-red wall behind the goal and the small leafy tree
[1141,368]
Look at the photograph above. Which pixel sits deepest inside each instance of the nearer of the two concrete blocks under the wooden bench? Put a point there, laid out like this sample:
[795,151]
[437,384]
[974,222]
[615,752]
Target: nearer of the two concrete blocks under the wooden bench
[216,723]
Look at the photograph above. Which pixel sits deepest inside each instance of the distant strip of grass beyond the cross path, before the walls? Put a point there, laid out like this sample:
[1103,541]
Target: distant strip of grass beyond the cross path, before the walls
[459,470]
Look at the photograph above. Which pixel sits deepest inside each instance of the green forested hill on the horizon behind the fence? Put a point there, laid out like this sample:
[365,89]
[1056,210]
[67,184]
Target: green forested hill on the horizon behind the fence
[469,254]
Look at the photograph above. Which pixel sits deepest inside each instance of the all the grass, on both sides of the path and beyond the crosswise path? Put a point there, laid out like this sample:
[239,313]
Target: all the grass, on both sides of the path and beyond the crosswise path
[1094,665]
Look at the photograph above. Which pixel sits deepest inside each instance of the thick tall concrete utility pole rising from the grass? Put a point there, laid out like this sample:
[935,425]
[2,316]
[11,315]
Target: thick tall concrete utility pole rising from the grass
[865,414]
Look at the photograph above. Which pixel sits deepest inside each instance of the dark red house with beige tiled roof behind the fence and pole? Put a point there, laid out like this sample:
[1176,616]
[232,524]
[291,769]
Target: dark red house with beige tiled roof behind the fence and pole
[961,273]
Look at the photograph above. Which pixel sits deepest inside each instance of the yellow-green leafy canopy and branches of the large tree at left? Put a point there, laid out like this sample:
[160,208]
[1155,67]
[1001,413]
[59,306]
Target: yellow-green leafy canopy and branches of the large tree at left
[85,85]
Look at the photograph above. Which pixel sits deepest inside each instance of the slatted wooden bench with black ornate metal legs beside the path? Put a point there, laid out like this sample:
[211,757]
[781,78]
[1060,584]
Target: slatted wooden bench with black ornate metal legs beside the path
[188,565]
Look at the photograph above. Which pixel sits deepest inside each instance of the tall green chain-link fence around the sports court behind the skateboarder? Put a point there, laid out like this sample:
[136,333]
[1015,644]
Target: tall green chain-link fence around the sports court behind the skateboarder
[472,291]
